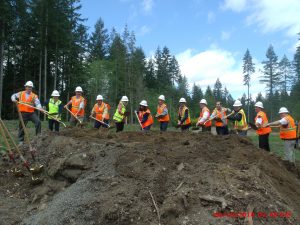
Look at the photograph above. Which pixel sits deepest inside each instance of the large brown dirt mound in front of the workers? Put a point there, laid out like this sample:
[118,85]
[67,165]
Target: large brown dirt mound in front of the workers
[99,177]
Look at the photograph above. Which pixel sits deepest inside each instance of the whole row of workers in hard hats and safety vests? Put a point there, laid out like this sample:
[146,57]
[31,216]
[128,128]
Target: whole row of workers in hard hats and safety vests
[220,115]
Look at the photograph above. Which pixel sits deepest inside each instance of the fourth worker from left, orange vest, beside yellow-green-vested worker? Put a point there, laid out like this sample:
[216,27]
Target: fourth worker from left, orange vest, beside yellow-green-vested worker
[101,112]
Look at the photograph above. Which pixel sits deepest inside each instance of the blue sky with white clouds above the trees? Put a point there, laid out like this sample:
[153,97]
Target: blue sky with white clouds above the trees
[208,37]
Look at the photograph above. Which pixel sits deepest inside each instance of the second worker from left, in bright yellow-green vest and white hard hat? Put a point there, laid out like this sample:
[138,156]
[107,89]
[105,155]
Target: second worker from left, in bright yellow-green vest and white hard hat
[55,107]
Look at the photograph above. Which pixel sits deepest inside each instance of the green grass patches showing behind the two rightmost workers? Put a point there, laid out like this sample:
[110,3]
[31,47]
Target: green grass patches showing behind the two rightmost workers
[276,144]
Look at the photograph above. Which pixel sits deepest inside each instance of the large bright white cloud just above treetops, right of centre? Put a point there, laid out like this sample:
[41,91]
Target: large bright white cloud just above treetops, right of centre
[205,67]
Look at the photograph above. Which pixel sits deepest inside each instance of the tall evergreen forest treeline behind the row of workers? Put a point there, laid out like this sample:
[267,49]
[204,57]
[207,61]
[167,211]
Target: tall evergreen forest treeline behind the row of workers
[47,41]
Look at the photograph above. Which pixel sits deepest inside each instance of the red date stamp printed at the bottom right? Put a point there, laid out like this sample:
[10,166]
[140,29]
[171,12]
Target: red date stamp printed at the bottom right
[274,214]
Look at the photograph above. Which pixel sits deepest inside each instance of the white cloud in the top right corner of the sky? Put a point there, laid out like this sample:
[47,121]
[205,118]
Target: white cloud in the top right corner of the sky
[269,15]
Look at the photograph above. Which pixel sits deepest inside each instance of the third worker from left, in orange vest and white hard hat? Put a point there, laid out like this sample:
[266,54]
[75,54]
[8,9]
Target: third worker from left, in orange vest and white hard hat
[77,103]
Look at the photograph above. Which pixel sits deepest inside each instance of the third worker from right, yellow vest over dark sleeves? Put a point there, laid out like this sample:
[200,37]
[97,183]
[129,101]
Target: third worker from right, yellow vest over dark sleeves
[239,118]
